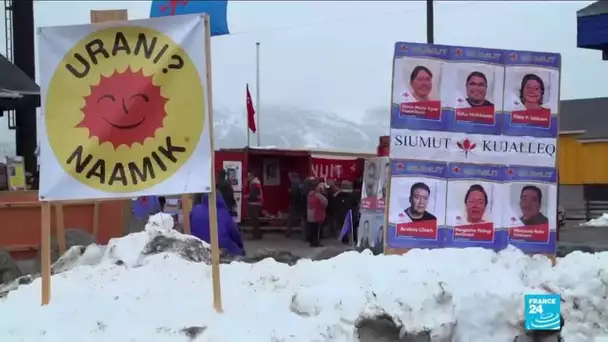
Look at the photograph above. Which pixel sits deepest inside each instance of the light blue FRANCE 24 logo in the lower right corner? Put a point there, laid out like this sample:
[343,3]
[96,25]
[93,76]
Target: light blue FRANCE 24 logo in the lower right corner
[542,312]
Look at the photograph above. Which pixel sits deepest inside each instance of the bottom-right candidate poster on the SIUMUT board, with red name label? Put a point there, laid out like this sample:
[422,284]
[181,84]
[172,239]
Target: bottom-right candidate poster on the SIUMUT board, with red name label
[531,214]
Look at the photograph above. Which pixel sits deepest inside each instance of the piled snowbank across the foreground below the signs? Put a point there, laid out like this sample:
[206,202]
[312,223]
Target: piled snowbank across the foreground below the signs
[125,292]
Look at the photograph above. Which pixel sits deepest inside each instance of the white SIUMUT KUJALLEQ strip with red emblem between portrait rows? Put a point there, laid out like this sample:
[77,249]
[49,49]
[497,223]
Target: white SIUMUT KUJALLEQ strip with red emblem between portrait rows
[473,148]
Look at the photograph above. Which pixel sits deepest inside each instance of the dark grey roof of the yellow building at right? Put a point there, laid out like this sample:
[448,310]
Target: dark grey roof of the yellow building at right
[588,117]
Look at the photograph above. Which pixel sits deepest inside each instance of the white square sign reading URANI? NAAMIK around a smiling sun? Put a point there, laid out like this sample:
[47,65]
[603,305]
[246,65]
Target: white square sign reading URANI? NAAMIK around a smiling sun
[125,109]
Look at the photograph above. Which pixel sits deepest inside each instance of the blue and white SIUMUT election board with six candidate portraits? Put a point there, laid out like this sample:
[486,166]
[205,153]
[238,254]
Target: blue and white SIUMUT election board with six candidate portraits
[491,117]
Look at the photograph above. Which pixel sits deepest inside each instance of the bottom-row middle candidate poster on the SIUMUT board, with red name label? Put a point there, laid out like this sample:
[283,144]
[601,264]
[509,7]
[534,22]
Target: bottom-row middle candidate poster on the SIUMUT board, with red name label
[475,206]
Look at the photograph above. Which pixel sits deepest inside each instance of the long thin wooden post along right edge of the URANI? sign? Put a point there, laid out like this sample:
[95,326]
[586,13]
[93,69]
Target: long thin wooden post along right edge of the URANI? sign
[215,254]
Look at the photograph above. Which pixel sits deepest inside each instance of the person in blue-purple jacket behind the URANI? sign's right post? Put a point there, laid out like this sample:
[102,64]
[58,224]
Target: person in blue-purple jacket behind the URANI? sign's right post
[229,236]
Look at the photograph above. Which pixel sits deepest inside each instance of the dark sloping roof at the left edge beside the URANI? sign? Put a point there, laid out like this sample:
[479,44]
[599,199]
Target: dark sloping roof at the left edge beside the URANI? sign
[16,88]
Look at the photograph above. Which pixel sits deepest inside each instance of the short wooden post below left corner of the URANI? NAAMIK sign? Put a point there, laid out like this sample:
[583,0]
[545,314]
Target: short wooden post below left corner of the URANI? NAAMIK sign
[45,253]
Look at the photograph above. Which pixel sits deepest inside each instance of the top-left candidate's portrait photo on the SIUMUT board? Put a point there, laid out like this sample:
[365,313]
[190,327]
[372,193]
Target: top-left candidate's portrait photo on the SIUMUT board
[416,80]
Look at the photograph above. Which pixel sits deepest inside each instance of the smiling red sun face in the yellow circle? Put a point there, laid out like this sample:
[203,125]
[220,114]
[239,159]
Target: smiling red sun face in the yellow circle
[125,108]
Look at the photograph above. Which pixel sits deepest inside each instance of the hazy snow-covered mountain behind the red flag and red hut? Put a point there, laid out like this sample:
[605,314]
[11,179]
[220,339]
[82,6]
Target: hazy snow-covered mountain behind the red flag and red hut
[298,127]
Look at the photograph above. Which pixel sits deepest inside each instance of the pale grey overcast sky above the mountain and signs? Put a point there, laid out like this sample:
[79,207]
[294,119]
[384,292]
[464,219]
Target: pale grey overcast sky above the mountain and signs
[333,59]
